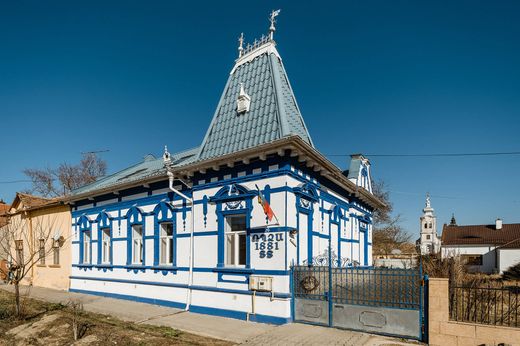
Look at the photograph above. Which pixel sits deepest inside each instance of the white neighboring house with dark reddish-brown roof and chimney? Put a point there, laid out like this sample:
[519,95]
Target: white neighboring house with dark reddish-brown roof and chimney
[484,248]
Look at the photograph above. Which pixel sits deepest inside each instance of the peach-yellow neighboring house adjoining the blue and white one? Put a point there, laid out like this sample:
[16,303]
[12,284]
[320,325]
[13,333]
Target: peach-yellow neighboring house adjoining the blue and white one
[41,229]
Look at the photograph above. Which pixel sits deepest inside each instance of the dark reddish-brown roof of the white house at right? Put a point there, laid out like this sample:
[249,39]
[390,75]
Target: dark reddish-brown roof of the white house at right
[482,235]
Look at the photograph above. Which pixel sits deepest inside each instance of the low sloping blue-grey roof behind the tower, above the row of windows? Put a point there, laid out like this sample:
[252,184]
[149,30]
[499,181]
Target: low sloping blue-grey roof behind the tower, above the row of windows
[150,167]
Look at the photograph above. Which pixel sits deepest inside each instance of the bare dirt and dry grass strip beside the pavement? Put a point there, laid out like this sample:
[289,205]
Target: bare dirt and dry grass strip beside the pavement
[51,324]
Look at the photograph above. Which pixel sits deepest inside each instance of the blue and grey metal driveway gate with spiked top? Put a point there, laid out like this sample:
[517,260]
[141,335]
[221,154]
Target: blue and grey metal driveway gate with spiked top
[376,300]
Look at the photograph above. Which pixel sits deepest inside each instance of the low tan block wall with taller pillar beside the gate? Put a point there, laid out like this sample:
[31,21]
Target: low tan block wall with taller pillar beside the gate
[444,332]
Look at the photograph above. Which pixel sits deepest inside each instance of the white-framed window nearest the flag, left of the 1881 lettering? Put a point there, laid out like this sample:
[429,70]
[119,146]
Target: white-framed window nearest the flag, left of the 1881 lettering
[235,241]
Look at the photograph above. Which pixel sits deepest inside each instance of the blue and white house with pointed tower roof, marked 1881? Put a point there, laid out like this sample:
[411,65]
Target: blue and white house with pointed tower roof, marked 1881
[187,230]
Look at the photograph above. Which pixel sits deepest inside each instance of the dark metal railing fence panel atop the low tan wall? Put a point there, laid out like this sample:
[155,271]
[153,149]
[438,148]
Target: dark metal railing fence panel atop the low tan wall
[486,305]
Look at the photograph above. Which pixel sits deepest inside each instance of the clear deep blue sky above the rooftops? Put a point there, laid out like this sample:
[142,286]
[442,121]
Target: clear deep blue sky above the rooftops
[376,77]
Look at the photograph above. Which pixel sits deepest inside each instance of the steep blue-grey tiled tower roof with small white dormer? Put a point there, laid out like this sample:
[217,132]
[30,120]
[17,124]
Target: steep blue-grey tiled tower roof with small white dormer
[273,113]
